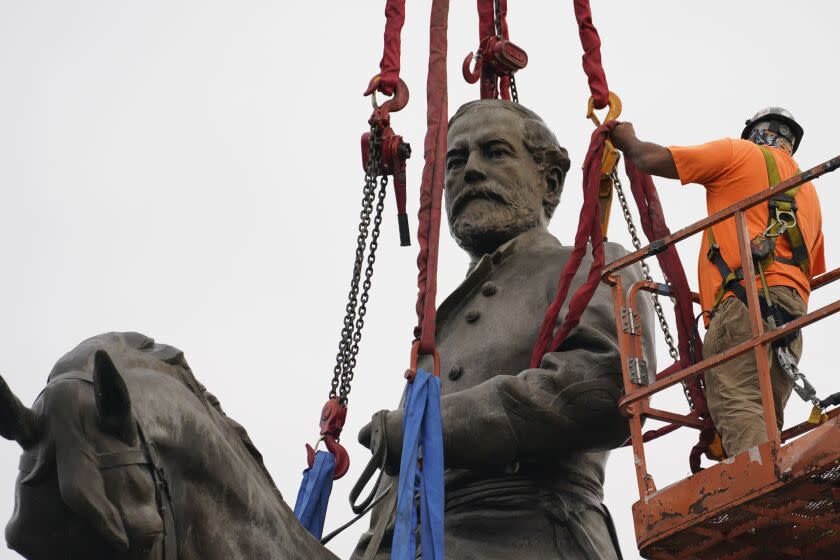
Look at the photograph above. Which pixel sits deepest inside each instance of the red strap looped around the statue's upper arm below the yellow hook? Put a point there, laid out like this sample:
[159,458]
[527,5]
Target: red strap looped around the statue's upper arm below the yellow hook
[589,228]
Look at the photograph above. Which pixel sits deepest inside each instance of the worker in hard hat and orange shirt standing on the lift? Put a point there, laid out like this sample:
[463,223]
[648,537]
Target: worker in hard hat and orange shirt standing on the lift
[787,245]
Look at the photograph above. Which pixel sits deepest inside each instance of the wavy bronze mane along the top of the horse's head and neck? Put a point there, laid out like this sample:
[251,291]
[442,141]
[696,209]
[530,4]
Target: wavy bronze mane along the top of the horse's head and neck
[134,349]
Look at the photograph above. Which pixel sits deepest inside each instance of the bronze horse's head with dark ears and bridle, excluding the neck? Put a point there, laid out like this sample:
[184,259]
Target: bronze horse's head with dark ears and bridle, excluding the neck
[86,488]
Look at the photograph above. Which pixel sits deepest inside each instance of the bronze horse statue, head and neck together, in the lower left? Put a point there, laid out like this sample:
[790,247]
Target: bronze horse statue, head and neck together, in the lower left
[126,456]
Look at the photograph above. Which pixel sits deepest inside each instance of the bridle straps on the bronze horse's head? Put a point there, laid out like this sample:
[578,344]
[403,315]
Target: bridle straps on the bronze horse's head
[145,454]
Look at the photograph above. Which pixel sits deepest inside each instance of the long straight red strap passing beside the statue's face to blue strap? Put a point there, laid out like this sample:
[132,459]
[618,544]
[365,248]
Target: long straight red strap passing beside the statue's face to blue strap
[431,188]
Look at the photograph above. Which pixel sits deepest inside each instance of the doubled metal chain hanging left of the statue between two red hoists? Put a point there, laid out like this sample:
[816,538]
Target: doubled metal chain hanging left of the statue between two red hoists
[345,343]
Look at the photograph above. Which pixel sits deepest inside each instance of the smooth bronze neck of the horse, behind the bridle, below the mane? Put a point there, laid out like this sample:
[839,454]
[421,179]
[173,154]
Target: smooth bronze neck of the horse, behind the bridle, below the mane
[225,505]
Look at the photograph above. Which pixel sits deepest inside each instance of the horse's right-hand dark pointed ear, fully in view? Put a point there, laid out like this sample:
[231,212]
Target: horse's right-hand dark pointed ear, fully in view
[113,403]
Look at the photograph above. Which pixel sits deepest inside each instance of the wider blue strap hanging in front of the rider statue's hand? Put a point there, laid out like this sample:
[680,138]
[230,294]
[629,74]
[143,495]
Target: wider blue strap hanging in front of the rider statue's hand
[421,429]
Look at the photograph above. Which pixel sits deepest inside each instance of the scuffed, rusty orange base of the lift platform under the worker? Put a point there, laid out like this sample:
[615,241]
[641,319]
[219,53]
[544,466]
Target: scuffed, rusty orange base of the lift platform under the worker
[751,506]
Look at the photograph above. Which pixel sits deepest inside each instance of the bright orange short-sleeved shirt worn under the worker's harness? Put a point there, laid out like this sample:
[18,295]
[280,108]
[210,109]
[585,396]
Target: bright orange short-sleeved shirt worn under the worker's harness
[731,170]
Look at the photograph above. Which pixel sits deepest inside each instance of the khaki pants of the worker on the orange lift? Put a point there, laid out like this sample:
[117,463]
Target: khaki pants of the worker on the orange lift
[732,388]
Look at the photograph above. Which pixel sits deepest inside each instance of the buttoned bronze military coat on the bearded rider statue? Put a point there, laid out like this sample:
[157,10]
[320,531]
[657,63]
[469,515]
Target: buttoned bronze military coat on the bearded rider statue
[525,449]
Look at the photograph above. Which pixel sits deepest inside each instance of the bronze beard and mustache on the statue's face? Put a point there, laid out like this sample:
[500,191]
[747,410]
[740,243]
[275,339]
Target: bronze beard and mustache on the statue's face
[483,218]
